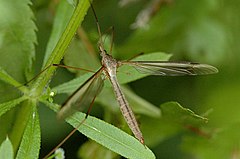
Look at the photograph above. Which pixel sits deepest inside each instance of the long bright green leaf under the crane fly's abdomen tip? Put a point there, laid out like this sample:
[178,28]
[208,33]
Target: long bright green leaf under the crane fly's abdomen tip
[108,136]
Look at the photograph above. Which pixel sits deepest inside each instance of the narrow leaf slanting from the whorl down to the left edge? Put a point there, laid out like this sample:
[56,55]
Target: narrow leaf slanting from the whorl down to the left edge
[4,107]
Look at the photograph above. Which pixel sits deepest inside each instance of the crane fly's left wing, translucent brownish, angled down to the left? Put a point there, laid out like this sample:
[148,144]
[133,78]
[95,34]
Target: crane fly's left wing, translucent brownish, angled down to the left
[83,96]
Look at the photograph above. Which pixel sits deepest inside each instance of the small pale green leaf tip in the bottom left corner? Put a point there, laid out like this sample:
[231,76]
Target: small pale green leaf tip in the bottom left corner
[6,149]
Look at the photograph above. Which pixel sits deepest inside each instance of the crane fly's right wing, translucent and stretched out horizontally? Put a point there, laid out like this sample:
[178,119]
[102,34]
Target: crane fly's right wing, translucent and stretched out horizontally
[168,68]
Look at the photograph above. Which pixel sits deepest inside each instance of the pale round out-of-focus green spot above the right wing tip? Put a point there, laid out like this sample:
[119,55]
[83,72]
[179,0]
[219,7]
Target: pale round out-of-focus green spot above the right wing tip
[206,41]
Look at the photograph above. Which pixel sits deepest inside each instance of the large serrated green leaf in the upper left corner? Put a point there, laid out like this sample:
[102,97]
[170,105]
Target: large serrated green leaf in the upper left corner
[17,38]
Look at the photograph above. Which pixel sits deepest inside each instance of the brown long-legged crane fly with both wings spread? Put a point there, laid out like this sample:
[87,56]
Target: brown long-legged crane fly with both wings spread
[88,91]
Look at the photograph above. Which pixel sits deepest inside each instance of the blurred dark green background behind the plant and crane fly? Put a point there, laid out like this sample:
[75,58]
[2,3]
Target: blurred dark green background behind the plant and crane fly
[204,31]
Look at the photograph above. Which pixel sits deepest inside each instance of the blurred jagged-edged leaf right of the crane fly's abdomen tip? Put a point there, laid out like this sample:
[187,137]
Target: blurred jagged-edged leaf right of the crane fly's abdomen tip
[175,119]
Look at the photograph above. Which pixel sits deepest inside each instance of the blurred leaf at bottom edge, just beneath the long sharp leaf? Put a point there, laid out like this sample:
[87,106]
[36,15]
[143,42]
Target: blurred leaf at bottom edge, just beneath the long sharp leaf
[93,150]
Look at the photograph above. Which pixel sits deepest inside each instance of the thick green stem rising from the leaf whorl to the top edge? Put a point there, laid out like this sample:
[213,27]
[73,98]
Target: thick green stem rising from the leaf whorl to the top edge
[59,51]
